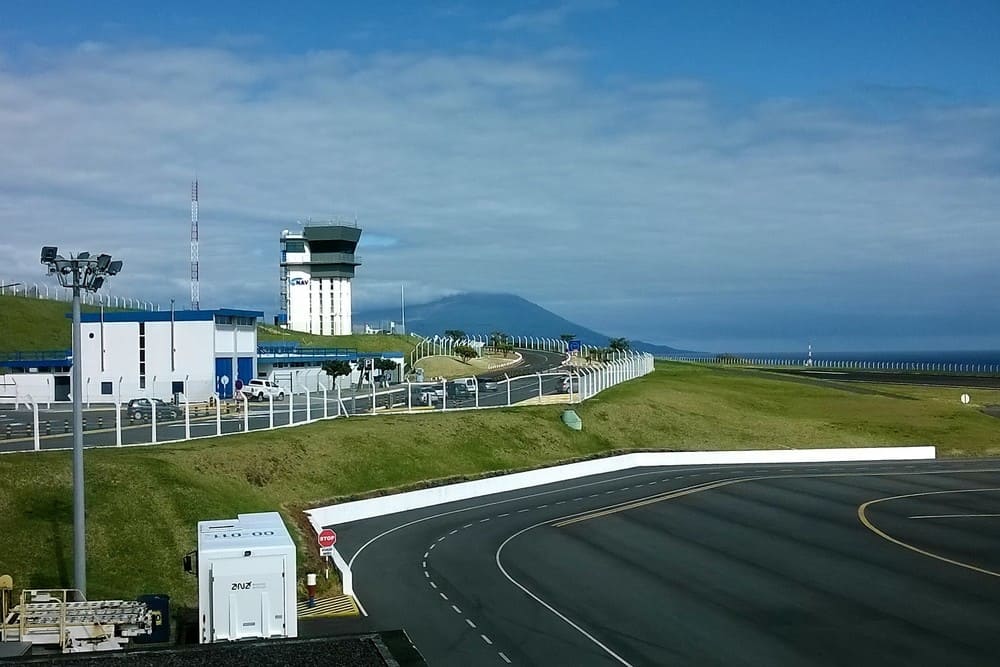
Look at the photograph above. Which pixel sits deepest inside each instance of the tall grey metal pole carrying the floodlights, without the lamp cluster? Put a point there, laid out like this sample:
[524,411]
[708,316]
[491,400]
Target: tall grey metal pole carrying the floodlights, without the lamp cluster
[79,523]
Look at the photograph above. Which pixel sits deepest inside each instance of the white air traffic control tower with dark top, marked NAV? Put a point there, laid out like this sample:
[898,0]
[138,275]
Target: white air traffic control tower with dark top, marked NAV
[317,266]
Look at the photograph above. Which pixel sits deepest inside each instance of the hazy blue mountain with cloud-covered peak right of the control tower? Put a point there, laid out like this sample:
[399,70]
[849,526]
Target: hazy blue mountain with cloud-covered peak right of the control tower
[483,313]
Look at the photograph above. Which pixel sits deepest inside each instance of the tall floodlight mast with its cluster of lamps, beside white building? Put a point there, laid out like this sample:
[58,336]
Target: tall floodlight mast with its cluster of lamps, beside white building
[87,273]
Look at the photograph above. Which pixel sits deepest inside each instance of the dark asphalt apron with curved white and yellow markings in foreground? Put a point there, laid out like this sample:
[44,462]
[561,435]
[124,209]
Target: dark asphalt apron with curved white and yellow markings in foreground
[734,565]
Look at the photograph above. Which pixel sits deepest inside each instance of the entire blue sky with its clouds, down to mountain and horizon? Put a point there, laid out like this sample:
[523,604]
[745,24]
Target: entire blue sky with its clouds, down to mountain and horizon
[722,176]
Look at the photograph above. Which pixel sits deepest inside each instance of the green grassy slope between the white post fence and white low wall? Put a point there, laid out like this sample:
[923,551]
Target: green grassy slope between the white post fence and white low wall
[143,503]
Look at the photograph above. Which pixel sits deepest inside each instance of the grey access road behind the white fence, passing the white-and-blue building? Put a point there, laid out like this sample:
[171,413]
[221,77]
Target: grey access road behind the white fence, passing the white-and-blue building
[55,425]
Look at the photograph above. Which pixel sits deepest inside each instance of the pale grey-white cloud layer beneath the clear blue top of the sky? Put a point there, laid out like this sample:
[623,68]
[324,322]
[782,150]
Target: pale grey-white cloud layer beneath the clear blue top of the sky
[647,209]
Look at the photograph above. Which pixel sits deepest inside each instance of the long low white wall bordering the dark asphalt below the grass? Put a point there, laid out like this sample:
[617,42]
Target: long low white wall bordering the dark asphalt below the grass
[334,515]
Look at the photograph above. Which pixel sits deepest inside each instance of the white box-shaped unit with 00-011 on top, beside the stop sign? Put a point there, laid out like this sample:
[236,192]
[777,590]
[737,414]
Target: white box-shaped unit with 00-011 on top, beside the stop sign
[246,579]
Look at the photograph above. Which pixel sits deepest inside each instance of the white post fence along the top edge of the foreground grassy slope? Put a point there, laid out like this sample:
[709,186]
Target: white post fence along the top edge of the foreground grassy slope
[29,428]
